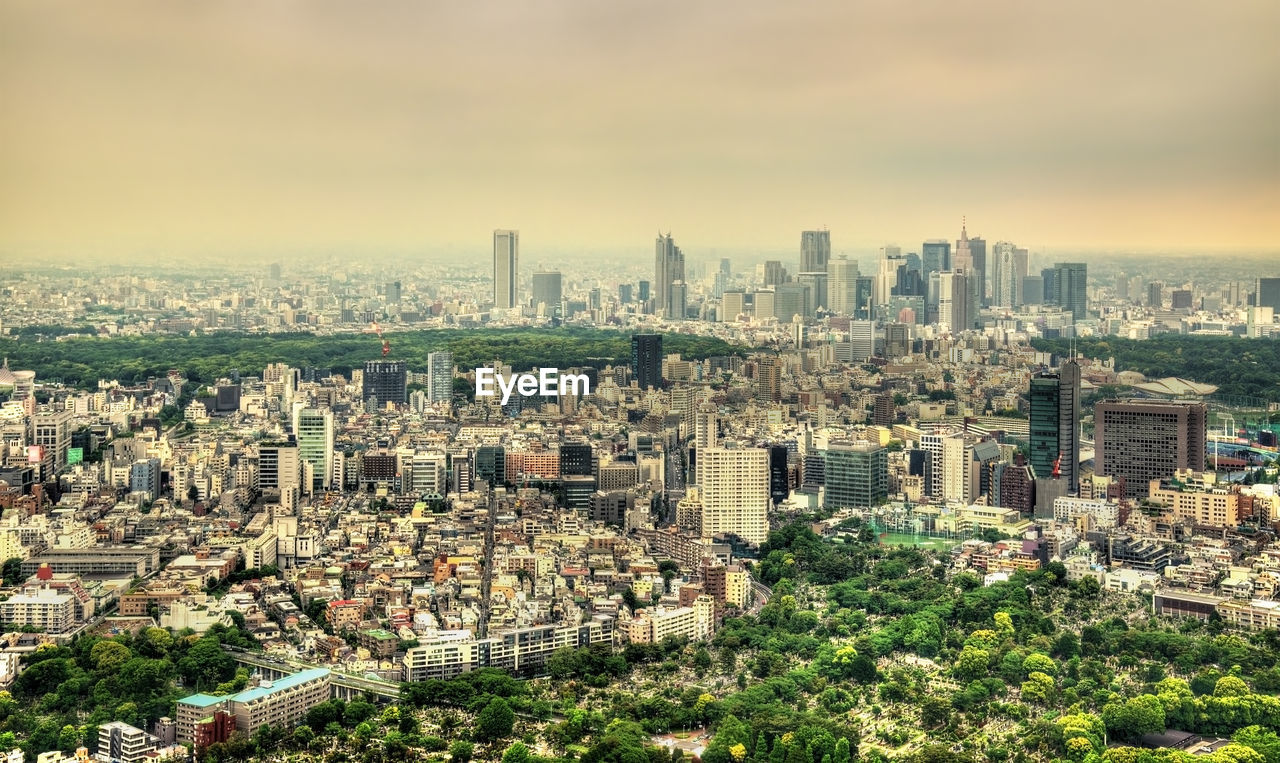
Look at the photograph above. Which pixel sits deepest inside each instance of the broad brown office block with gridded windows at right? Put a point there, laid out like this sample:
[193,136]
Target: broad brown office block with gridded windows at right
[1144,441]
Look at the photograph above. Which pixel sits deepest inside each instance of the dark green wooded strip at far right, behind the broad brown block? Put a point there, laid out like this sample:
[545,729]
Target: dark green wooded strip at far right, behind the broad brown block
[1237,367]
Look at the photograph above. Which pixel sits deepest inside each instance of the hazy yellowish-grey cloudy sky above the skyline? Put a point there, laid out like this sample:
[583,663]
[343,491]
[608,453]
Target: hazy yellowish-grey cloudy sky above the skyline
[280,126]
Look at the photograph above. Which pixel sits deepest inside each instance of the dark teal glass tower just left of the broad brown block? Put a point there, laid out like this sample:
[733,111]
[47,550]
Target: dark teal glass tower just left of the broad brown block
[1055,419]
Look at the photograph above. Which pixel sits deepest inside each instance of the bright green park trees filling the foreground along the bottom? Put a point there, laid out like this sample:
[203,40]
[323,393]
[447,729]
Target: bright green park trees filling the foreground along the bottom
[863,652]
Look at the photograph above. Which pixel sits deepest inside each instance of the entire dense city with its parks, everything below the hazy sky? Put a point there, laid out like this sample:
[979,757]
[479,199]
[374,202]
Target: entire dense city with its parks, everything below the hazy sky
[776,510]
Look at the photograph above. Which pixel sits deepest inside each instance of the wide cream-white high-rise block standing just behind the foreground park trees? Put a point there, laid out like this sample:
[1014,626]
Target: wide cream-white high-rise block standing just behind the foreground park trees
[735,494]
